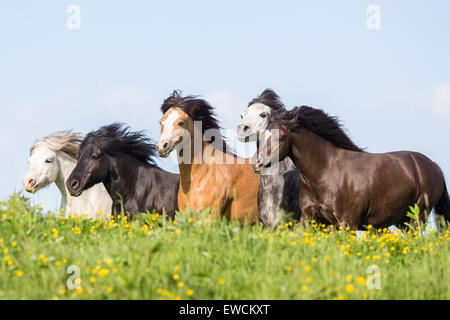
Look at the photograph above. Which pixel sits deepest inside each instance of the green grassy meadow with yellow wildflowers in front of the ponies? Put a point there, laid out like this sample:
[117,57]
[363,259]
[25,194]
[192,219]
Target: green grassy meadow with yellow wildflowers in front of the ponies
[194,259]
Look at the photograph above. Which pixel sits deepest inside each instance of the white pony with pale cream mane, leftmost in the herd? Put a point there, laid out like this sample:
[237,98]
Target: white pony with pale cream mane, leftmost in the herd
[52,159]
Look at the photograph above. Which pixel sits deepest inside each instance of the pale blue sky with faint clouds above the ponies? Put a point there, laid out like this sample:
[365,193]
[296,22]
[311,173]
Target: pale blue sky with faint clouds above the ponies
[390,87]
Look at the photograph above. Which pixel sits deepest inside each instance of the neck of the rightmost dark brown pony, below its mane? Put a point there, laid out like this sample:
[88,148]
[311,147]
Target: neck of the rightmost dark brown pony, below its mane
[311,154]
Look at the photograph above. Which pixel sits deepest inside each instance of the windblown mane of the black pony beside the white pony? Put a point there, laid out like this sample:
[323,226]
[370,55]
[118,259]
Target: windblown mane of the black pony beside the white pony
[117,137]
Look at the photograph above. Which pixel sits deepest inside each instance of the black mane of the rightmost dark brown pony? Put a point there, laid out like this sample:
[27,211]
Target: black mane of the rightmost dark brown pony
[317,121]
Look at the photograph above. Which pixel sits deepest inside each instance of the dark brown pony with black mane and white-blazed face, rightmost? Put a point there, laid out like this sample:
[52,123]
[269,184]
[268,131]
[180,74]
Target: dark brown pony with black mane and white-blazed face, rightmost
[343,185]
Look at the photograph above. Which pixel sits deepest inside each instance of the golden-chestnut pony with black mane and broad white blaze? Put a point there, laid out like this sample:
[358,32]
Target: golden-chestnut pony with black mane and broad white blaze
[211,176]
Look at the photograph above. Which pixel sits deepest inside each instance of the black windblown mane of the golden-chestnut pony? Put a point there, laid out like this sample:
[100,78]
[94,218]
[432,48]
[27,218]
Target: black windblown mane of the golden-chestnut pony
[198,110]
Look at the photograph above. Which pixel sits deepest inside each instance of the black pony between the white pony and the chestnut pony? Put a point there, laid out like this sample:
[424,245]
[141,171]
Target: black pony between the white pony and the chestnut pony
[123,161]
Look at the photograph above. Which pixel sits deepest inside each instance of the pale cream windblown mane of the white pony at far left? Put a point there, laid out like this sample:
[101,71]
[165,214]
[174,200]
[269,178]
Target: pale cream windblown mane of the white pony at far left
[65,141]
